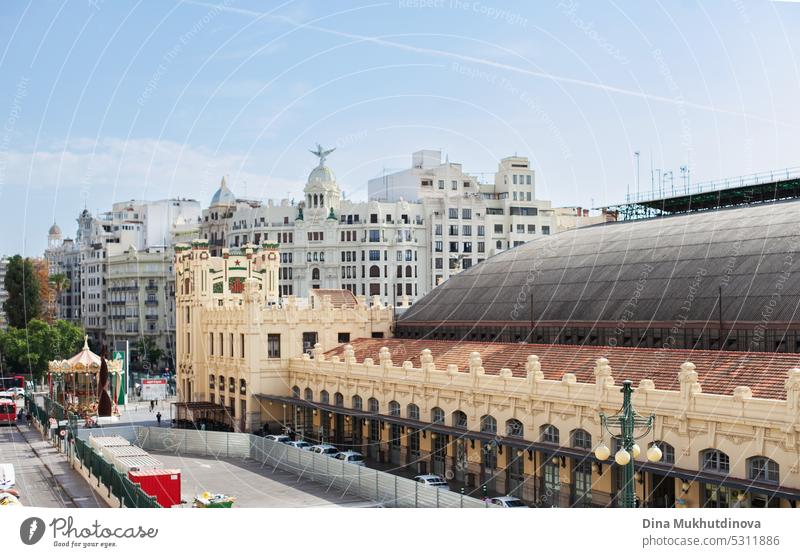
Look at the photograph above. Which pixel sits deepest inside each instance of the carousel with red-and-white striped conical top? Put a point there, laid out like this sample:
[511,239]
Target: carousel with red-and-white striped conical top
[86,384]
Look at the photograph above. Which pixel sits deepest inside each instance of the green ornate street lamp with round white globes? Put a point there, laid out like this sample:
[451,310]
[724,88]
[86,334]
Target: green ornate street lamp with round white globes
[628,426]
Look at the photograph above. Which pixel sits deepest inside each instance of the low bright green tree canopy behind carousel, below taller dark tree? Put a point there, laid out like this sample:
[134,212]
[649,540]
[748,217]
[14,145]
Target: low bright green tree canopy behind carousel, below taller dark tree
[30,349]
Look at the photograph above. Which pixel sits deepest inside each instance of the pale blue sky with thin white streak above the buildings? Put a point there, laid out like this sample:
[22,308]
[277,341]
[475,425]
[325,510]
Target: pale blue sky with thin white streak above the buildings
[107,101]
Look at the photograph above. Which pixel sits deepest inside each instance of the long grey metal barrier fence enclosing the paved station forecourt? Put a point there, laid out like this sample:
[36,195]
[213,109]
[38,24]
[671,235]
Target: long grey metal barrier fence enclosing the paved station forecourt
[373,485]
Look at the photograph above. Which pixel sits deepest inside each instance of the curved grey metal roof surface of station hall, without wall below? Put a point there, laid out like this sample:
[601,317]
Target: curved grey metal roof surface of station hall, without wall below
[669,270]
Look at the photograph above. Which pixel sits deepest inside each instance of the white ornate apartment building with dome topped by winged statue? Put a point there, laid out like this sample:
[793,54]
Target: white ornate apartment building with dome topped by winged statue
[370,248]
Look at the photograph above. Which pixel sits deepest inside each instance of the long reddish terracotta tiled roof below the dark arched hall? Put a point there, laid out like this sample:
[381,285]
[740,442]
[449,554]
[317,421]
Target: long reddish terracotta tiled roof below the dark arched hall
[719,372]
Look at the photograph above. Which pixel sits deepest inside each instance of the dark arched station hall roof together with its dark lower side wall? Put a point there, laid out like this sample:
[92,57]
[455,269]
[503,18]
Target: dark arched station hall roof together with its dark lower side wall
[676,281]
